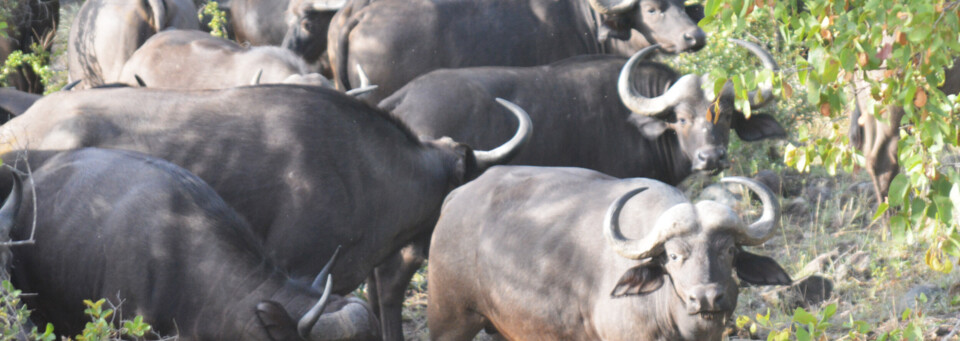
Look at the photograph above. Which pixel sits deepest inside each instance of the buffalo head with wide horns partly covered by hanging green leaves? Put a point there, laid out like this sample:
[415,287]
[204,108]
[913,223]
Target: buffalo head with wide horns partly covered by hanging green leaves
[702,123]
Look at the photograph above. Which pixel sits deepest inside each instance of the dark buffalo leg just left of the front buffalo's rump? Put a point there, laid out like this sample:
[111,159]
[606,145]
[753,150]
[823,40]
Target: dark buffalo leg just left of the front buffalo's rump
[392,278]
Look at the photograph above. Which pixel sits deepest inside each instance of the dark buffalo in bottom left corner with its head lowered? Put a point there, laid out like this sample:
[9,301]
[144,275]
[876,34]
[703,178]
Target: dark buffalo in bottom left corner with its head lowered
[158,242]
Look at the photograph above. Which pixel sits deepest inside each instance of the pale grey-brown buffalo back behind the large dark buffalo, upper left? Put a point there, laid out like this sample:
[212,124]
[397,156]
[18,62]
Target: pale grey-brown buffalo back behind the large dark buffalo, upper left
[189,59]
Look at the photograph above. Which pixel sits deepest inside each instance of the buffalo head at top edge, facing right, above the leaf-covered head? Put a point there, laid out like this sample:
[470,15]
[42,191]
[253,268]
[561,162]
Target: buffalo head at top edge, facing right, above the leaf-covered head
[664,22]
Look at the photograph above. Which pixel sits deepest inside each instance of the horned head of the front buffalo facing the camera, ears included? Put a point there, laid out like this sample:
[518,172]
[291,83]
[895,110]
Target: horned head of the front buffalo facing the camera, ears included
[697,247]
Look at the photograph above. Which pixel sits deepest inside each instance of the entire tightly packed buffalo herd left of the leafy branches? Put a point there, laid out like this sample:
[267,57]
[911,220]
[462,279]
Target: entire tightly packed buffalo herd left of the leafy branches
[243,188]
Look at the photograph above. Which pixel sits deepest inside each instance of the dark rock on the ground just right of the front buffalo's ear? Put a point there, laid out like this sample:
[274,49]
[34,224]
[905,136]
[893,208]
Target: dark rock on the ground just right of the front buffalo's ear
[807,292]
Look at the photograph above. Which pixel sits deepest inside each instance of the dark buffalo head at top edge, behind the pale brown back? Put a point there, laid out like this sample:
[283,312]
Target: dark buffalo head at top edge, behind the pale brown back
[307,23]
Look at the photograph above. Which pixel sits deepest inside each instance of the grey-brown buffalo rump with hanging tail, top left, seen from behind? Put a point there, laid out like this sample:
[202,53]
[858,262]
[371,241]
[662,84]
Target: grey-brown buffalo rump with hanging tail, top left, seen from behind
[106,33]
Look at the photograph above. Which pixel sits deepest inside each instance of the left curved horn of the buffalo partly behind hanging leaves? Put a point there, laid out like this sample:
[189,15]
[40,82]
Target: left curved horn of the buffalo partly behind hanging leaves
[685,86]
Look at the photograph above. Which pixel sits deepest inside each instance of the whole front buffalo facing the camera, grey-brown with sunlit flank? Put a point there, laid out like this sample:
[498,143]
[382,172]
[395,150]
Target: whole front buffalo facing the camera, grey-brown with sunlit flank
[536,254]
